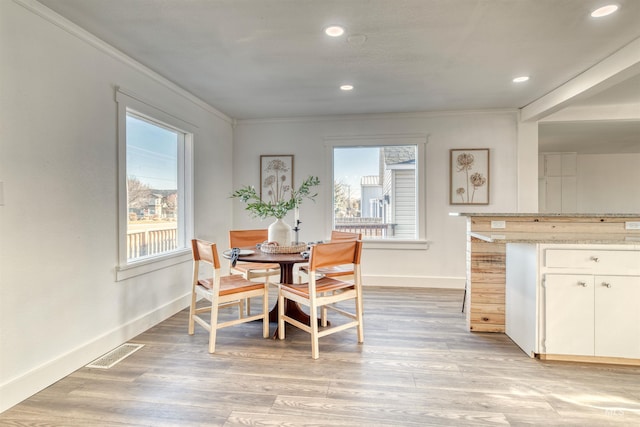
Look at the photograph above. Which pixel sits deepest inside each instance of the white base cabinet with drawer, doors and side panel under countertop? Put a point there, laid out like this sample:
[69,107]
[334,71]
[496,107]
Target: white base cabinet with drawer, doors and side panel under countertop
[574,301]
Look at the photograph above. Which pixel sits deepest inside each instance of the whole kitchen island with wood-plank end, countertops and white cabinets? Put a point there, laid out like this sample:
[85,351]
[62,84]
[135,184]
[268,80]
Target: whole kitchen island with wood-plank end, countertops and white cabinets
[562,287]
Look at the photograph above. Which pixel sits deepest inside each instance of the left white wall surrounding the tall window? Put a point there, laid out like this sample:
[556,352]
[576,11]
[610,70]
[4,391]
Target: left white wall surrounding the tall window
[60,306]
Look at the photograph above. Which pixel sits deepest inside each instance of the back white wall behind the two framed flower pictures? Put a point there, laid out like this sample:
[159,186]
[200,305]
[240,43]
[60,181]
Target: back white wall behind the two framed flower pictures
[443,264]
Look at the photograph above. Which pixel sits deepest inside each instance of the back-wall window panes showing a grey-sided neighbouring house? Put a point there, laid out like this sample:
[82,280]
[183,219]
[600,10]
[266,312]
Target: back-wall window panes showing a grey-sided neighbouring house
[378,187]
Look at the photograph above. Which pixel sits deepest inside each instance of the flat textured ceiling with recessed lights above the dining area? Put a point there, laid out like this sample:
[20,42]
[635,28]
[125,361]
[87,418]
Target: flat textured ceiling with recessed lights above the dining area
[254,59]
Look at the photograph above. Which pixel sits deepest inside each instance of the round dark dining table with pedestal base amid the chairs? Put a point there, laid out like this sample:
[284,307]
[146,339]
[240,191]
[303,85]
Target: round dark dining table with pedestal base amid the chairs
[286,263]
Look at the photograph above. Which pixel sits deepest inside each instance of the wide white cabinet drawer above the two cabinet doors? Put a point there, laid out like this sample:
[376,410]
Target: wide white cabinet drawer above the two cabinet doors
[594,260]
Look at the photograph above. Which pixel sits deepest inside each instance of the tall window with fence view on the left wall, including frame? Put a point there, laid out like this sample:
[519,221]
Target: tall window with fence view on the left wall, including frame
[155,186]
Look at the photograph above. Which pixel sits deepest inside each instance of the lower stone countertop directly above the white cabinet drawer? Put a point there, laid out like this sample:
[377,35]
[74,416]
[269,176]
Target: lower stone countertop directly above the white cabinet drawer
[575,238]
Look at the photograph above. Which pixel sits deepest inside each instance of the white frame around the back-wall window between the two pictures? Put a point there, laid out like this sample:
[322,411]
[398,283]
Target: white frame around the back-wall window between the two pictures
[420,141]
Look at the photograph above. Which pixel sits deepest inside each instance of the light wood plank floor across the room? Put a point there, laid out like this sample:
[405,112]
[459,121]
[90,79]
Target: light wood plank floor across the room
[418,366]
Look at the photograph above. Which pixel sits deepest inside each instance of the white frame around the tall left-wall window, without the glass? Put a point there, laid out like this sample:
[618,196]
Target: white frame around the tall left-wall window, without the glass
[129,103]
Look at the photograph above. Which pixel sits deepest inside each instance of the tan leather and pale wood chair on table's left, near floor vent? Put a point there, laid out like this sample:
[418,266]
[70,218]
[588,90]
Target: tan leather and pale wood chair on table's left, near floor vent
[221,292]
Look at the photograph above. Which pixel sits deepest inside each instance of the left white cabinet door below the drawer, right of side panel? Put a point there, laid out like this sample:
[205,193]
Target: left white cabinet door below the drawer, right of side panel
[569,314]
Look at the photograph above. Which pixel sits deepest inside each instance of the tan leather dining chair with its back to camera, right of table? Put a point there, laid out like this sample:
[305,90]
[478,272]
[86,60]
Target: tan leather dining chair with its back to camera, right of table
[325,292]
